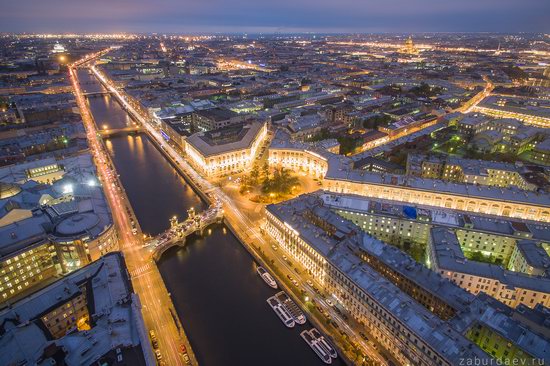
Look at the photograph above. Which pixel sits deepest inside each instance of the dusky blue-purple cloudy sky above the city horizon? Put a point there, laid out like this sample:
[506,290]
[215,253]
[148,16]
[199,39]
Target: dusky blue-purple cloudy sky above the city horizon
[196,16]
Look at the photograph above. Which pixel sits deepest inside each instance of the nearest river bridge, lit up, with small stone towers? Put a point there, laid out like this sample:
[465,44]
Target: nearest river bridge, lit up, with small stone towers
[178,232]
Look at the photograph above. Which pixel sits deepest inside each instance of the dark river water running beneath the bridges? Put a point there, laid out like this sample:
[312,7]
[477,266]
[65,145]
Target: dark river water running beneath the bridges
[219,298]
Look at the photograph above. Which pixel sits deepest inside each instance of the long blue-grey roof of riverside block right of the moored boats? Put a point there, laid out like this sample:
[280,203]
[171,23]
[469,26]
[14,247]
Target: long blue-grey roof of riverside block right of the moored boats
[341,243]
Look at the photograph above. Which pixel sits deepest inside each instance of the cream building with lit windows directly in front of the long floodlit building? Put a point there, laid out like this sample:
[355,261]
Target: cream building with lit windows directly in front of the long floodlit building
[404,225]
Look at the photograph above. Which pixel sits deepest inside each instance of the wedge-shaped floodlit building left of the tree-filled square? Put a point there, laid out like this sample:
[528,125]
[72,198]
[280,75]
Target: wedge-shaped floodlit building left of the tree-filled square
[225,151]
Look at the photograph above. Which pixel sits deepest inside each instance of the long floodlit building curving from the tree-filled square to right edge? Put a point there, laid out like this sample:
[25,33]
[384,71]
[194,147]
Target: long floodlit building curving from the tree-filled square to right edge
[341,177]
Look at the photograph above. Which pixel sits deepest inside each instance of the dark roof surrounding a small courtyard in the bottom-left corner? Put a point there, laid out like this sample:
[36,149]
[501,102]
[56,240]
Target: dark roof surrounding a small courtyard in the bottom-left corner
[116,318]
